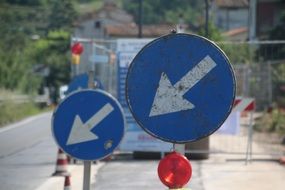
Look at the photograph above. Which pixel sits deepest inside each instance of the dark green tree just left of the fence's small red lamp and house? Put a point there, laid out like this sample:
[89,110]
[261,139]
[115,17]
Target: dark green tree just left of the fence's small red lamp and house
[61,19]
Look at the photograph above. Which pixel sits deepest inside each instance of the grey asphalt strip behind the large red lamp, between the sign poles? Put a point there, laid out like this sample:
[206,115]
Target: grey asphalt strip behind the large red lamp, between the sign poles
[128,174]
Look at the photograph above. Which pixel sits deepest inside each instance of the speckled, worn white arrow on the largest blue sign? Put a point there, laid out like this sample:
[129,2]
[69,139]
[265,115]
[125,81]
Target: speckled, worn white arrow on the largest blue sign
[169,98]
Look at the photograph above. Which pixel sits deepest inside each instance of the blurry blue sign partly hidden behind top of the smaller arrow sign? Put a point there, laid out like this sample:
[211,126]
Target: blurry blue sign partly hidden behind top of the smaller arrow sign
[81,82]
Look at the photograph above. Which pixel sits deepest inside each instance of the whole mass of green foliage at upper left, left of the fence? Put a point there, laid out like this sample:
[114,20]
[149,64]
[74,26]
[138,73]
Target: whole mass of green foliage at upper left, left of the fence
[48,21]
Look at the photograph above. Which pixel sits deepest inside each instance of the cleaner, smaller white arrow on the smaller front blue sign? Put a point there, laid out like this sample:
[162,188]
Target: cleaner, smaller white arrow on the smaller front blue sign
[81,132]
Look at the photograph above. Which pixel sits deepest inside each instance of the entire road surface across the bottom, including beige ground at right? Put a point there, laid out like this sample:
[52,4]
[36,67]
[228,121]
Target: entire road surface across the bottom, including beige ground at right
[28,155]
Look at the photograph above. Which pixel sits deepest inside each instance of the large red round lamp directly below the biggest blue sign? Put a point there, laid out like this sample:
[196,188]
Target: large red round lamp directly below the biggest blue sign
[174,170]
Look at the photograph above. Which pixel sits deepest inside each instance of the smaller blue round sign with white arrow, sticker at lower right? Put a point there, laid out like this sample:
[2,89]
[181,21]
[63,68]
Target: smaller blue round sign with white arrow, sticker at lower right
[88,124]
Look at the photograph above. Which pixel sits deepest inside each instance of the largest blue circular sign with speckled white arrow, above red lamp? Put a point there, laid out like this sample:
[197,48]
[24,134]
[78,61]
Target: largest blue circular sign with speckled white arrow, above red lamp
[180,88]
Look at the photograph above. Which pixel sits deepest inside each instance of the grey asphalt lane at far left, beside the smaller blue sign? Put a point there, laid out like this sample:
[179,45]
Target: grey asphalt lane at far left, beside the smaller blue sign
[27,153]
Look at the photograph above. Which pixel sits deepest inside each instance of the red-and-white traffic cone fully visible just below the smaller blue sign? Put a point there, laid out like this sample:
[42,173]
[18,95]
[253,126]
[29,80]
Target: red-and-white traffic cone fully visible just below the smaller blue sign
[61,164]
